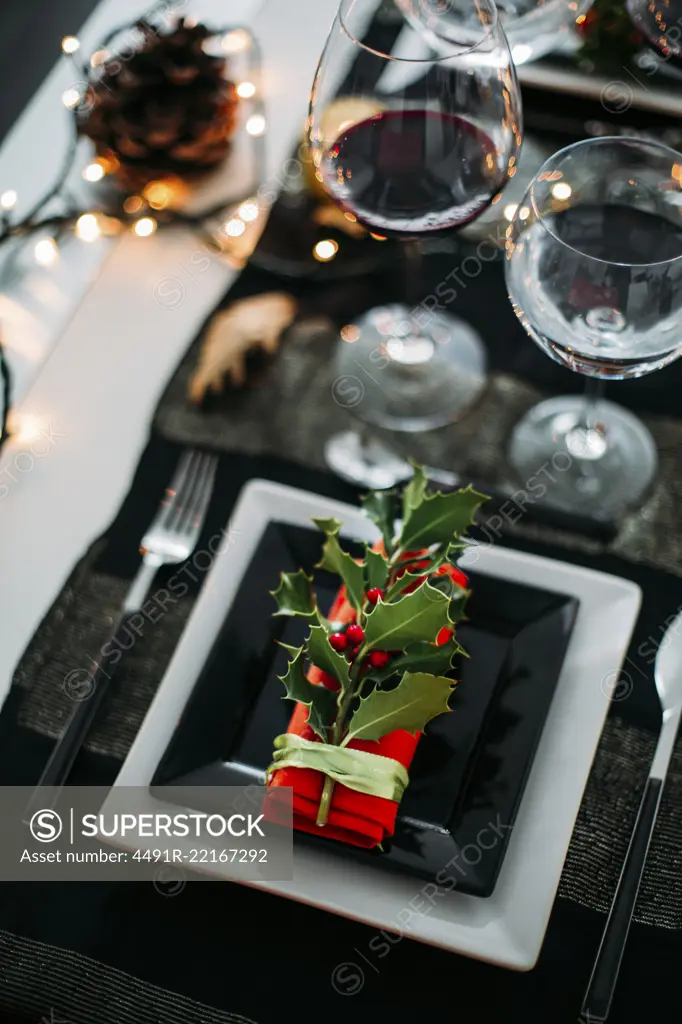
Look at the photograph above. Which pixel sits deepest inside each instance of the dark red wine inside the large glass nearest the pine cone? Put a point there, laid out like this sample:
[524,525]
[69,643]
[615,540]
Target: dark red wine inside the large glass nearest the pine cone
[409,173]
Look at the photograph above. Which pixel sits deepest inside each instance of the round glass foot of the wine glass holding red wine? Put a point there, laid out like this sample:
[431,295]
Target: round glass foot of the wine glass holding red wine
[409,374]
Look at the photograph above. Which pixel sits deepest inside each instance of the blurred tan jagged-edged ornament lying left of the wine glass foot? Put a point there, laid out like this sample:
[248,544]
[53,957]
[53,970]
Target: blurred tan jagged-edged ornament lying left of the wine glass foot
[257,323]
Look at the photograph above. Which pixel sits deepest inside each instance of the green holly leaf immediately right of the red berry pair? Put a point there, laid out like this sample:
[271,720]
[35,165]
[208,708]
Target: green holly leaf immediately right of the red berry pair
[419,616]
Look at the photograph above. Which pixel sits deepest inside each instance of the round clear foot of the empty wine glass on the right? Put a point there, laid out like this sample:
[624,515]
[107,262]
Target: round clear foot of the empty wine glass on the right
[601,473]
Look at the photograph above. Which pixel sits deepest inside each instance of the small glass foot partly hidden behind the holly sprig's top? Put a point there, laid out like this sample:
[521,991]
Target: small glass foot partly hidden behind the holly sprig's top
[367,464]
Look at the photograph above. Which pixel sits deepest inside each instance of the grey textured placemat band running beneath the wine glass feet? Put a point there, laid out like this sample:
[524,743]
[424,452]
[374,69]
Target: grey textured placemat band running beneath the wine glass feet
[293,413]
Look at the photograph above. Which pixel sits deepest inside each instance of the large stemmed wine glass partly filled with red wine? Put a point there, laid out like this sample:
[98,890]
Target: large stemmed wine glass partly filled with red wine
[413,136]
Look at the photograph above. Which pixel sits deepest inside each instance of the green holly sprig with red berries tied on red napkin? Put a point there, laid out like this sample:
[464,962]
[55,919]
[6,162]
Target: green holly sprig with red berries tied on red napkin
[407,606]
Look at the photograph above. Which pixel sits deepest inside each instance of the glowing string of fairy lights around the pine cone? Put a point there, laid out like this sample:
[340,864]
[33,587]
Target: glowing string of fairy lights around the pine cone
[141,214]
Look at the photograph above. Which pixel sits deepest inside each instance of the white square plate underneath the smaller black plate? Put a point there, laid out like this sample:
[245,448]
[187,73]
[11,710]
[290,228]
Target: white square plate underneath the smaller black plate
[507,928]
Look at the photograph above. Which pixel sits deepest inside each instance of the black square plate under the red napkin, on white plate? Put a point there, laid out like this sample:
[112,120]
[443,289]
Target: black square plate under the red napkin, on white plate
[471,770]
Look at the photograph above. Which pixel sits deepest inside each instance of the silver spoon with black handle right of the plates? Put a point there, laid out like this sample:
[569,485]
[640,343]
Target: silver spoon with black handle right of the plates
[668,676]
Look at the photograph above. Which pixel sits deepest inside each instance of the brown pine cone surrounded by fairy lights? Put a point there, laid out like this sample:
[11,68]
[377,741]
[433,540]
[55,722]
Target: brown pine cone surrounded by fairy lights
[165,111]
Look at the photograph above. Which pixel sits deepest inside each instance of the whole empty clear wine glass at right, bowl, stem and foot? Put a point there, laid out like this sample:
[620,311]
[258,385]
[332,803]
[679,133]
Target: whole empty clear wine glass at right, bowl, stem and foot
[594,274]
